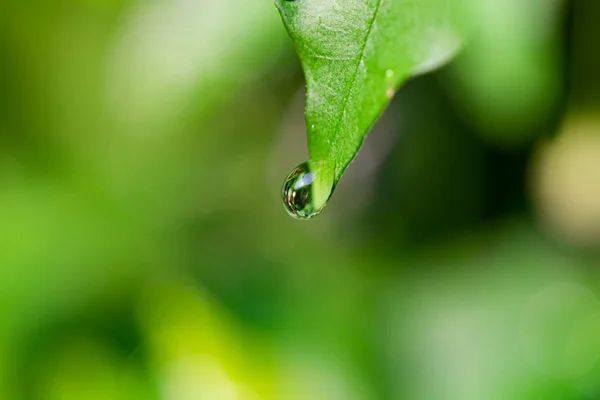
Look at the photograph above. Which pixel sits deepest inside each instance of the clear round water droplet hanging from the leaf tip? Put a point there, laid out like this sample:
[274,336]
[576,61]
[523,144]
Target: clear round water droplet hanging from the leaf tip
[307,189]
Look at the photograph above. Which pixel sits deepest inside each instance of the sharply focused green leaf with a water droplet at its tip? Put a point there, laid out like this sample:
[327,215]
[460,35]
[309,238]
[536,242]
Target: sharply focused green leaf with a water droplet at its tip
[355,54]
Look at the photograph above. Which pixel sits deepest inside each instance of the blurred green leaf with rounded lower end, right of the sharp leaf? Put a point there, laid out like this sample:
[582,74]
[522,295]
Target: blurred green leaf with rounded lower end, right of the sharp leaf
[507,81]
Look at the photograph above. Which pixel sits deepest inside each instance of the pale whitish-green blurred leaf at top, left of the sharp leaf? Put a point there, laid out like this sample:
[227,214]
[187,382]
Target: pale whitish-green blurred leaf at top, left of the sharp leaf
[199,52]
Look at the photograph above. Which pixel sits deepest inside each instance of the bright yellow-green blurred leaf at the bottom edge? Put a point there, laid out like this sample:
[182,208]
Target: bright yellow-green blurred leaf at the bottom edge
[198,351]
